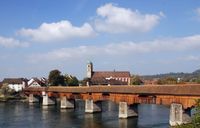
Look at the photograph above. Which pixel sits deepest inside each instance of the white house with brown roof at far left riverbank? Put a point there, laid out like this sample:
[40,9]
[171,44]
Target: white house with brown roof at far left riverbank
[17,84]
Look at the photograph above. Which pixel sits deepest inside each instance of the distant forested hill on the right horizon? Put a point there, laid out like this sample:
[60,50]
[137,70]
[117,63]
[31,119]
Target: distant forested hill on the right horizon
[184,76]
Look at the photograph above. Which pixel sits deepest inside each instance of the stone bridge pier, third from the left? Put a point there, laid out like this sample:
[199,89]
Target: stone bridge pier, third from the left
[65,103]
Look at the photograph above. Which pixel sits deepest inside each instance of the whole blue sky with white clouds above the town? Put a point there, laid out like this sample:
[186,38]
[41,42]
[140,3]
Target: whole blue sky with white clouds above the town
[136,35]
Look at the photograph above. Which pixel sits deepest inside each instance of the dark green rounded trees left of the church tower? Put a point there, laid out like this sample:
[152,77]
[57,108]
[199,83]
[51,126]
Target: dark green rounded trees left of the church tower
[57,79]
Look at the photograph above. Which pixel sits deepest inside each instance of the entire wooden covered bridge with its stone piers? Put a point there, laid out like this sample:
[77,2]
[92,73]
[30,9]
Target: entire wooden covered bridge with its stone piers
[179,97]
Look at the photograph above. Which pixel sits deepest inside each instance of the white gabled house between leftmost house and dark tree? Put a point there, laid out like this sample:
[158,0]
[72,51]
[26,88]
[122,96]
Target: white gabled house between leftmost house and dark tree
[35,82]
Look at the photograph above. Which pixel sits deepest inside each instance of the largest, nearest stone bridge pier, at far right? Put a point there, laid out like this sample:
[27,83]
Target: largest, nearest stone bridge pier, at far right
[177,115]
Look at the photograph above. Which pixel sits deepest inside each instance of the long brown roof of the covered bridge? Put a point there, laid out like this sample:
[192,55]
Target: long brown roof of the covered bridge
[187,90]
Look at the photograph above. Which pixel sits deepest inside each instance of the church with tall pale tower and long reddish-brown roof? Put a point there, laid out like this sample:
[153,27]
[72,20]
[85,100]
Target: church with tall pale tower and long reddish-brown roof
[107,77]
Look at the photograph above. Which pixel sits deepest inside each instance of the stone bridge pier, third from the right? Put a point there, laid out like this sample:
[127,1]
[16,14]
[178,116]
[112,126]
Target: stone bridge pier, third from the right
[91,106]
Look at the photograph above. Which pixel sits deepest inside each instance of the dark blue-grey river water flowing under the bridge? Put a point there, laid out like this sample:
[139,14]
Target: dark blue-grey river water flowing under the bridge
[25,115]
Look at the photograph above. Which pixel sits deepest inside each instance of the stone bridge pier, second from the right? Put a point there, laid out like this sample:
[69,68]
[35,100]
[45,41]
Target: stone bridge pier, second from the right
[126,111]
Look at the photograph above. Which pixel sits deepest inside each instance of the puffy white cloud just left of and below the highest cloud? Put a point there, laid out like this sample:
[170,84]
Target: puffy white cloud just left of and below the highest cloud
[63,30]
